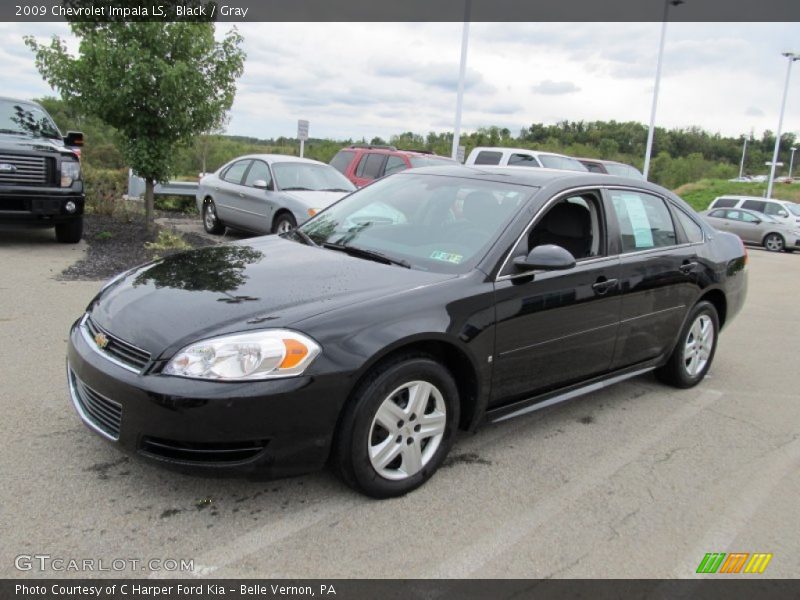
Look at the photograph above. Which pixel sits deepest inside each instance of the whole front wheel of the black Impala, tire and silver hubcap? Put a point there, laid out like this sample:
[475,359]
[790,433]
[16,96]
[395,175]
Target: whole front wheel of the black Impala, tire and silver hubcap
[398,428]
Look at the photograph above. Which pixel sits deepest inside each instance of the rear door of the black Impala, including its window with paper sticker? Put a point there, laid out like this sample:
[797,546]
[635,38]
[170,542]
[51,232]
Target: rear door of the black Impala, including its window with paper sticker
[658,274]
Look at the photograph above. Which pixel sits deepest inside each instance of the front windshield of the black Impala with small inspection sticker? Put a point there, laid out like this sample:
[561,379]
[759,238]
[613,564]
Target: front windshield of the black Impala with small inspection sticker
[433,223]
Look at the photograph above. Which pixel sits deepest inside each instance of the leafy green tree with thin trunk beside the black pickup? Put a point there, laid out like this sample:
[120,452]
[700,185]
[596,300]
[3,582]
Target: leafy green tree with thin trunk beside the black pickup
[158,84]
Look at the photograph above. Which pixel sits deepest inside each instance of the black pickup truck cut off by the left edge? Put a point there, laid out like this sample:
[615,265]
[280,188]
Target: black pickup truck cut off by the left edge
[40,172]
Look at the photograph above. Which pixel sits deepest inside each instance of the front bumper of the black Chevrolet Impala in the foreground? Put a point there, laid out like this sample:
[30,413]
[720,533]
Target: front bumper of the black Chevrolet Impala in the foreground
[273,428]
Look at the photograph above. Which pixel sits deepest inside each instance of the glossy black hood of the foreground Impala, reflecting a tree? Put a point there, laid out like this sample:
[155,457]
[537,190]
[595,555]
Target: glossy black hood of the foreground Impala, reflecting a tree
[262,283]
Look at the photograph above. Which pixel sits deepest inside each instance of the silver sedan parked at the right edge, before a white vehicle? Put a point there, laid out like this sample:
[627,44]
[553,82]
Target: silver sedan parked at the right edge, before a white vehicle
[755,228]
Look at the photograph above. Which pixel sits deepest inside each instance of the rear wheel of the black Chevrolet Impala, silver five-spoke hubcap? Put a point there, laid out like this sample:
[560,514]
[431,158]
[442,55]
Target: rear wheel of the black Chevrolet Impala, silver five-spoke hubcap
[691,358]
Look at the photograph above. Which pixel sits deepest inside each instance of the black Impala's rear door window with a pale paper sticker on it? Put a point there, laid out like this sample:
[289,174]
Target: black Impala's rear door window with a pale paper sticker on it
[644,221]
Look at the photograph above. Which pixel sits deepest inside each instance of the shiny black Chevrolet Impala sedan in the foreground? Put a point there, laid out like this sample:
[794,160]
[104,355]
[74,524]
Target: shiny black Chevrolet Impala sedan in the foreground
[429,301]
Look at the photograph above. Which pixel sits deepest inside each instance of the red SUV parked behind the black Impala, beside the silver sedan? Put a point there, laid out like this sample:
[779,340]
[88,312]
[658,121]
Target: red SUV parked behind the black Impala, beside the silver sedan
[362,164]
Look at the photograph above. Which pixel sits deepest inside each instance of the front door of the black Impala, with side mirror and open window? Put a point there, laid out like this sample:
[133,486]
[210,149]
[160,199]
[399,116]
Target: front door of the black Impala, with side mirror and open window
[556,327]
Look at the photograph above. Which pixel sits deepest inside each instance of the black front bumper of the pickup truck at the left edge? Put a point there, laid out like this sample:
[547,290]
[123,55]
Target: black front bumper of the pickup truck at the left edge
[39,206]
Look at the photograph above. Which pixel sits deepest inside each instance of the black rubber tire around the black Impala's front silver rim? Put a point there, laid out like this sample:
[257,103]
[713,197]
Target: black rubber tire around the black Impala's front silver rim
[359,426]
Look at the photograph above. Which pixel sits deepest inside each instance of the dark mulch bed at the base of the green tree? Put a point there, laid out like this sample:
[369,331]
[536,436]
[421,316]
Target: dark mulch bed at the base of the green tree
[118,244]
